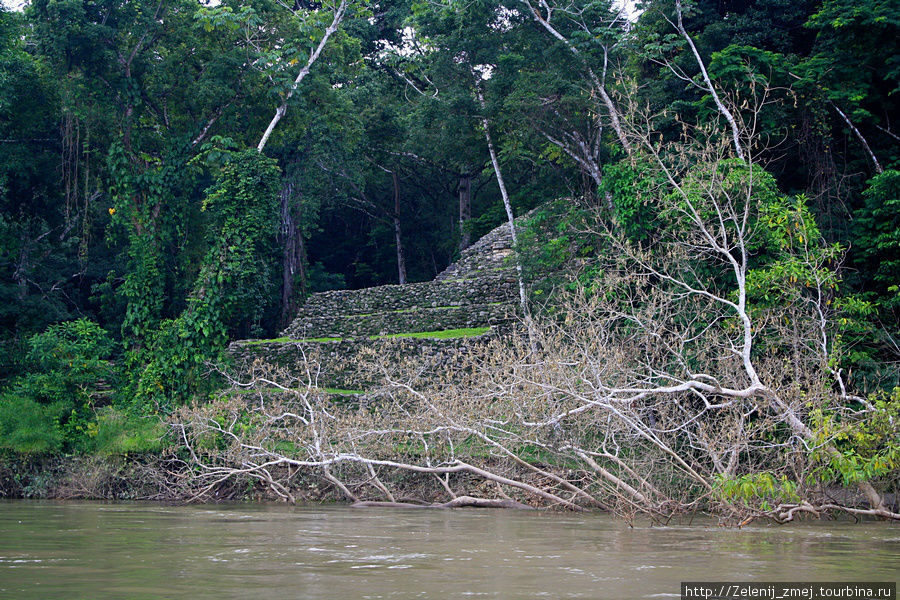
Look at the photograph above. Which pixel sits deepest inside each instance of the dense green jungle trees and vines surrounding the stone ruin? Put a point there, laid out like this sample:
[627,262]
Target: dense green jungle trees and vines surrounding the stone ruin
[146,220]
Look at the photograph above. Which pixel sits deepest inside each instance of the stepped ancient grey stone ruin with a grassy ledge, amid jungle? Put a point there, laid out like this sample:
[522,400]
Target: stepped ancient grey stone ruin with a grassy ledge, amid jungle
[432,322]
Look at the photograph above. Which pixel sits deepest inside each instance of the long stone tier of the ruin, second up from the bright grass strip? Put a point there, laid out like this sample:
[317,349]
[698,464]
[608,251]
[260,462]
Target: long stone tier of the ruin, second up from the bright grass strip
[495,287]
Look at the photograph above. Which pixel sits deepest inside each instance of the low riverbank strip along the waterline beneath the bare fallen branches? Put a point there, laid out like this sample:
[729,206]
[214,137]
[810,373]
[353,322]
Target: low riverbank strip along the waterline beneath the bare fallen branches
[171,480]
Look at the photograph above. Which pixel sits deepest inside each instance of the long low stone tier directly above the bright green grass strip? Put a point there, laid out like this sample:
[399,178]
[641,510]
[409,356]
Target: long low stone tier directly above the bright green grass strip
[402,321]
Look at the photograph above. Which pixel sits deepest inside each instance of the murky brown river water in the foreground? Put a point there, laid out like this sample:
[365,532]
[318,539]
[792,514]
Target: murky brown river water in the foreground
[93,550]
